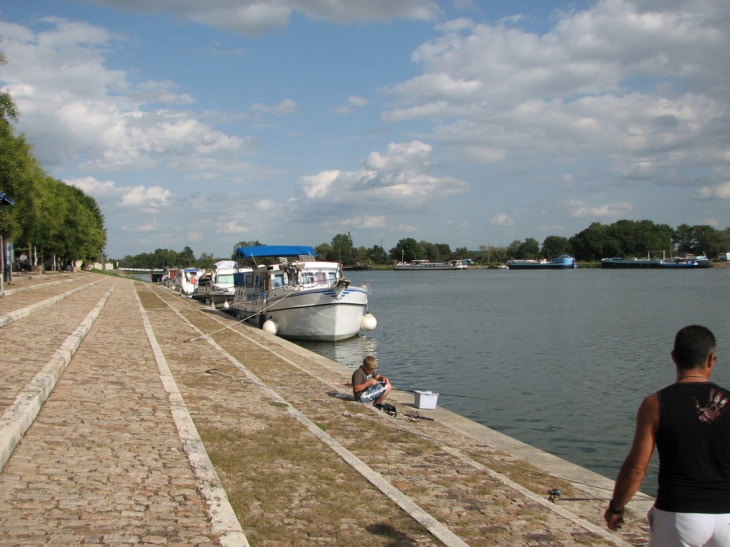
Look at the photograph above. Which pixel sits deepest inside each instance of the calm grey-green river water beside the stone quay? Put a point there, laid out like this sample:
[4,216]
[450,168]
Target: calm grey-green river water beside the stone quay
[557,359]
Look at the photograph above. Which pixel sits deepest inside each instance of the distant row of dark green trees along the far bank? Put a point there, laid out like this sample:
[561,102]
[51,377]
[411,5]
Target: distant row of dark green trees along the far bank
[627,238]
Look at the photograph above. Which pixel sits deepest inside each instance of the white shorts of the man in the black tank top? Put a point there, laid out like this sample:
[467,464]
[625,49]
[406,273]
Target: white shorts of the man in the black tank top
[669,529]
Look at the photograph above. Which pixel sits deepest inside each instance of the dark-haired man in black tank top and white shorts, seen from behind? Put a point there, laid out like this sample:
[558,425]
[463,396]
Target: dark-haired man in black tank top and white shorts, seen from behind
[689,422]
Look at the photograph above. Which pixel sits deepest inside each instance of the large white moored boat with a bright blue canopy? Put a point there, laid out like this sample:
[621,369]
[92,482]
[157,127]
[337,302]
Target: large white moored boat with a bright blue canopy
[302,299]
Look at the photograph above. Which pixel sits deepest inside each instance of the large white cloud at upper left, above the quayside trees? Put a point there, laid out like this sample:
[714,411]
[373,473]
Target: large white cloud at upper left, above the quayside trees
[91,114]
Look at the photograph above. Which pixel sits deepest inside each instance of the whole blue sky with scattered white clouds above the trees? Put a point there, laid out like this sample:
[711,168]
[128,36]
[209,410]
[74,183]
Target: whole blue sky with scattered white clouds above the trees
[465,122]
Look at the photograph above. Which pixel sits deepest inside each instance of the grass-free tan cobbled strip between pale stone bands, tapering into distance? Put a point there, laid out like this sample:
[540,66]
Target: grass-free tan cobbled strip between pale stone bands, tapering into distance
[103,463]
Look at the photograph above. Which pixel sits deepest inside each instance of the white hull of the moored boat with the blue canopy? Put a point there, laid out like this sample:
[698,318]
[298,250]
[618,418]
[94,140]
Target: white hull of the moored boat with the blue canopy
[309,314]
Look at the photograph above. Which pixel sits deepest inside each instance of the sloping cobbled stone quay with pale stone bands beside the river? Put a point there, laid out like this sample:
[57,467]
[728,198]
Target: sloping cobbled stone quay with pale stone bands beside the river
[173,425]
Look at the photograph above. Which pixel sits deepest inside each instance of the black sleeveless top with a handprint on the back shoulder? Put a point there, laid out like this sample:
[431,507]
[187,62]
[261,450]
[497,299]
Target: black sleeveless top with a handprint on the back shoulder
[693,441]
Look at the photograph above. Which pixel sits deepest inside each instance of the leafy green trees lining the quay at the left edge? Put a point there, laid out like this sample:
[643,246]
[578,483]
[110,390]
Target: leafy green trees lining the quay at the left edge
[50,217]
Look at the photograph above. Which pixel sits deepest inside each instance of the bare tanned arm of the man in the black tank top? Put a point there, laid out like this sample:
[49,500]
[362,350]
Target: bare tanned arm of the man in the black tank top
[634,467]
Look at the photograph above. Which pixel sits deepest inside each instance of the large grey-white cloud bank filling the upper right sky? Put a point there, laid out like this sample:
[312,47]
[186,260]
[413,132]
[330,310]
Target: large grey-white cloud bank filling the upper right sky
[636,83]
